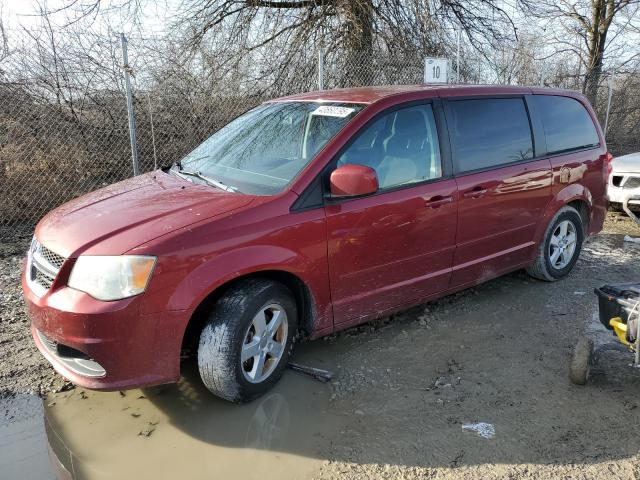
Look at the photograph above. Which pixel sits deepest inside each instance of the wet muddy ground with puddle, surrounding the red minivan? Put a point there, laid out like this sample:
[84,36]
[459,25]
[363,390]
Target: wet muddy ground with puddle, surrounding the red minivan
[403,390]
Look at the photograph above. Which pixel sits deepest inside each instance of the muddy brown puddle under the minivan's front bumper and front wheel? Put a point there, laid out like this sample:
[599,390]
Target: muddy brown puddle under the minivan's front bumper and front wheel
[175,431]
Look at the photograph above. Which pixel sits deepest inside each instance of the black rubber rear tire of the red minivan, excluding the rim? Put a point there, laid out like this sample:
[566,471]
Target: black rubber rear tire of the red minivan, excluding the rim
[542,268]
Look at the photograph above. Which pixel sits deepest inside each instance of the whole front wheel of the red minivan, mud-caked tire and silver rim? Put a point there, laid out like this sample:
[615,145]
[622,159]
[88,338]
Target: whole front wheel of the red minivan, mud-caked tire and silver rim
[247,339]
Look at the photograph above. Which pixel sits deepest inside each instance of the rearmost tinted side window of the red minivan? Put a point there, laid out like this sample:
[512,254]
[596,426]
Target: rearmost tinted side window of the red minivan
[567,124]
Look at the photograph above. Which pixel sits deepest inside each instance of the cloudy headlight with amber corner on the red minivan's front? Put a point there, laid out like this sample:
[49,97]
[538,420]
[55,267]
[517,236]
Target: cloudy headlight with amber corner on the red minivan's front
[111,278]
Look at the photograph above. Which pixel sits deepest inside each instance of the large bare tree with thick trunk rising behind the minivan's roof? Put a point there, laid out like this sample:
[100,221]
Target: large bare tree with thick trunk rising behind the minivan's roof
[356,28]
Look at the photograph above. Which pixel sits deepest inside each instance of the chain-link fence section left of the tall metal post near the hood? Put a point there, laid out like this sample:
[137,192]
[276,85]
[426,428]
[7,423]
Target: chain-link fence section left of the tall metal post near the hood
[51,153]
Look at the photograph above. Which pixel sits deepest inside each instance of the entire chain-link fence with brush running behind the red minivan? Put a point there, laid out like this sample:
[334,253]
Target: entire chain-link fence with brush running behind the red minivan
[59,141]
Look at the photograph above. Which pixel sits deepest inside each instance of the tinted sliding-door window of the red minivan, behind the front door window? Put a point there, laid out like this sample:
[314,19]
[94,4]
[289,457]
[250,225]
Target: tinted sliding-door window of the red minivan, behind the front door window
[489,132]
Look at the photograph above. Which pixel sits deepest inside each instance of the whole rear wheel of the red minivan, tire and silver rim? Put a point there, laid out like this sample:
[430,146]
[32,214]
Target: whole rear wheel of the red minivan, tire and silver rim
[560,247]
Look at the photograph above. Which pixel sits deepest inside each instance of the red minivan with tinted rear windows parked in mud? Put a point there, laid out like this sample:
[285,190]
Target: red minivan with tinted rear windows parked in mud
[307,215]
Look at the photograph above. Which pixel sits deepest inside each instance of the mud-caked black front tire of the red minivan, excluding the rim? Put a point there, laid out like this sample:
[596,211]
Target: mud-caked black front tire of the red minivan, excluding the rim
[224,333]
